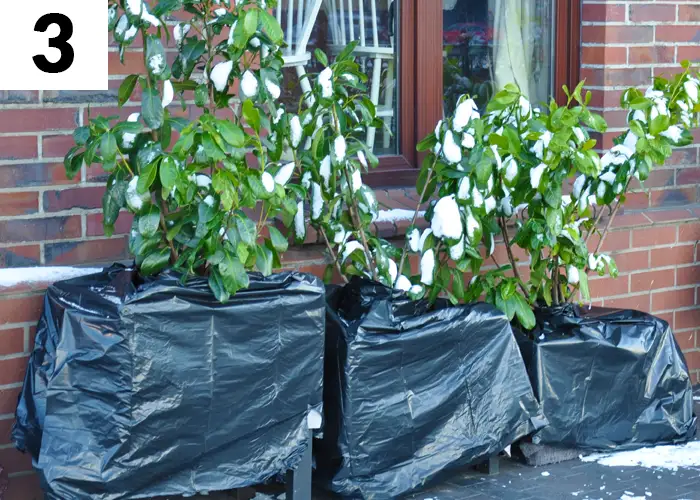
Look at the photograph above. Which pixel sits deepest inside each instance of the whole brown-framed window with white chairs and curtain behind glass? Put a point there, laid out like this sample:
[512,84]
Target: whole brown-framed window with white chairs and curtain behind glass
[421,55]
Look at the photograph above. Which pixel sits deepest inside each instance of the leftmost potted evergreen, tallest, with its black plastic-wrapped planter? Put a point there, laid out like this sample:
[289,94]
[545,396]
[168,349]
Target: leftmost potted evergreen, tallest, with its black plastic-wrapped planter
[197,369]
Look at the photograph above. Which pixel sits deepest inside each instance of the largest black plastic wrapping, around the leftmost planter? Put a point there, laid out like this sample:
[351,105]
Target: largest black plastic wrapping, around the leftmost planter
[146,388]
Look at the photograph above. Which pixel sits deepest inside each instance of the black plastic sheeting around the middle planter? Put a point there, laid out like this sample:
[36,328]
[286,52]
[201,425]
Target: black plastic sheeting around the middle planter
[411,391]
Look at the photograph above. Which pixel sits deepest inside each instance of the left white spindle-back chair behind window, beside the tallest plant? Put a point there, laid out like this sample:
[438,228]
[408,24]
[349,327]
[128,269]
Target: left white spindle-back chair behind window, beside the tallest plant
[297,33]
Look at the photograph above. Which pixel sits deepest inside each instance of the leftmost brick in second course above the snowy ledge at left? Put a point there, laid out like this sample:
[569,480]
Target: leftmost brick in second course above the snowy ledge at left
[52,228]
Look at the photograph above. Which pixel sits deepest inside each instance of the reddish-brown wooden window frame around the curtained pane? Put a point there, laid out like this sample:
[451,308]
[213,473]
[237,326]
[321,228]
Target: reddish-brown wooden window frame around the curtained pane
[421,86]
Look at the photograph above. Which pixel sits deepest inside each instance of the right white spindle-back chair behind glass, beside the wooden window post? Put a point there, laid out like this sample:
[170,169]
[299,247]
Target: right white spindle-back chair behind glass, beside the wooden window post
[343,15]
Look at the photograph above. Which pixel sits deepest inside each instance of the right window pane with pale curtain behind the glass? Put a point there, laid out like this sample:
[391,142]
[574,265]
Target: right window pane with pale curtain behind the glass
[488,43]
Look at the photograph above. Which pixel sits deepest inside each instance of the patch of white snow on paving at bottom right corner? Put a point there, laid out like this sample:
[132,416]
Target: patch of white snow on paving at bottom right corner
[669,457]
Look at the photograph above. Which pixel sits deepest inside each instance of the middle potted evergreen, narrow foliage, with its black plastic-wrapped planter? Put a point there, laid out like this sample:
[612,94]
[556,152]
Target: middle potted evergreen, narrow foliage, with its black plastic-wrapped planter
[412,387]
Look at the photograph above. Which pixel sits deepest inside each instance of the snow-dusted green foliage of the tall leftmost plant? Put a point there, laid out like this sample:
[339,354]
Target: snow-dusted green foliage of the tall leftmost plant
[191,198]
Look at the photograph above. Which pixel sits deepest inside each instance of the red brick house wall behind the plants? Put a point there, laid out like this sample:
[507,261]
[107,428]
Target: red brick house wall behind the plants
[46,219]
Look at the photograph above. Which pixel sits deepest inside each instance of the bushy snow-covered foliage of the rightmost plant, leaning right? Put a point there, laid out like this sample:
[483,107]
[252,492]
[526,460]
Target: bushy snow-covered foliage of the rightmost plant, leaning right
[480,166]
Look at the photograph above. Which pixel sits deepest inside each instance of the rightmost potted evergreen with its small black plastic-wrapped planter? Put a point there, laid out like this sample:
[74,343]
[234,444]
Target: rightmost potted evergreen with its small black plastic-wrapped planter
[505,175]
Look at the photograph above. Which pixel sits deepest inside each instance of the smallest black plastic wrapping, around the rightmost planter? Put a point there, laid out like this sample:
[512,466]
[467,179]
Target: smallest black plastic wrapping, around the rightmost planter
[608,379]
